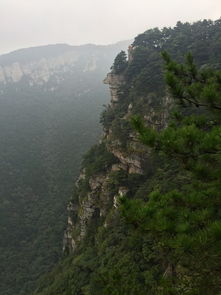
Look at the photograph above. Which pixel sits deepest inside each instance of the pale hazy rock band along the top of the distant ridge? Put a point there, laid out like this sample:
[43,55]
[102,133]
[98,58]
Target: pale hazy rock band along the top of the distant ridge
[39,64]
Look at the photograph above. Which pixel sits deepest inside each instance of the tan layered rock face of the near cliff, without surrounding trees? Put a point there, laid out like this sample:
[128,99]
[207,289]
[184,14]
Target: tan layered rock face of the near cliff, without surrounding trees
[131,158]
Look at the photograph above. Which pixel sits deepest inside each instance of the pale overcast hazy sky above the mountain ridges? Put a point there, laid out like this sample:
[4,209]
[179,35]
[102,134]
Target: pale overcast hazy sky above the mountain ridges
[25,23]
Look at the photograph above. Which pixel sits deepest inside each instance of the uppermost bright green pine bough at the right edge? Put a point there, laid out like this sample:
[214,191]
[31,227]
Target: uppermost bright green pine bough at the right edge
[200,88]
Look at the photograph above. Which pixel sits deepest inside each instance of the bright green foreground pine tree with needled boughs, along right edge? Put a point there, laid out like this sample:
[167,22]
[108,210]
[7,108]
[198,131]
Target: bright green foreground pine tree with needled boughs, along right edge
[185,224]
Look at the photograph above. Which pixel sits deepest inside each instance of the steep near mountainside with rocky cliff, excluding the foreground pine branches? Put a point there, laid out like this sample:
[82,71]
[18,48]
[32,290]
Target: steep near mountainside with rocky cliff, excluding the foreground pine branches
[105,254]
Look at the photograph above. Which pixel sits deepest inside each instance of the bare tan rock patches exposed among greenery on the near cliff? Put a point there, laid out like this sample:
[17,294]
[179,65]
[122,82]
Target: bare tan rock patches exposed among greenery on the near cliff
[132,159]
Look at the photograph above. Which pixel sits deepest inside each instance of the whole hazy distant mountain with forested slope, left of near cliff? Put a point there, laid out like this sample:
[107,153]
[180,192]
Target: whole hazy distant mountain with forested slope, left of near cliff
[50,100]
